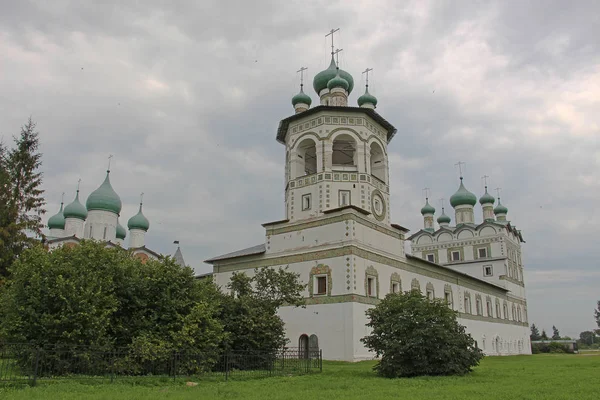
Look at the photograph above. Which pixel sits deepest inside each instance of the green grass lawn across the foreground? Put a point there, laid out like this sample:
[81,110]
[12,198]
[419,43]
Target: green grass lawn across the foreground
[573,377]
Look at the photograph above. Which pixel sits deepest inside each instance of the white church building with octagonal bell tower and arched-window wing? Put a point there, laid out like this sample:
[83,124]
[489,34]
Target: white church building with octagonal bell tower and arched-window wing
[338,235]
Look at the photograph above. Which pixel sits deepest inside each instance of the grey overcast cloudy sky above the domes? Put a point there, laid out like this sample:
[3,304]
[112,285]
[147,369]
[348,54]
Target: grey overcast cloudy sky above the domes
[188,97]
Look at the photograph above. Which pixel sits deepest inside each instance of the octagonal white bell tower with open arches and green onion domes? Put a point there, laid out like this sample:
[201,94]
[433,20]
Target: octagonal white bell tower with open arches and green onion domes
[336,155]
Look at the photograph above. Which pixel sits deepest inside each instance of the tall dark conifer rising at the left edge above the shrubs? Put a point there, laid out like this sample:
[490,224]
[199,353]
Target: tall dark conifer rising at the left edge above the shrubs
[21,196]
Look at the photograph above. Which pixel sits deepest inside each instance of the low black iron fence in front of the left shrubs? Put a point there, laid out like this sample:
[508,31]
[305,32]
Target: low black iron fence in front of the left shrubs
[26,363]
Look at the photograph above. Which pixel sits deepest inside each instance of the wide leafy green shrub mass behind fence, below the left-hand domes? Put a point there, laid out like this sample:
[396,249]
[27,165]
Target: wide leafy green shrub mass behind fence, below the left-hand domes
[93,297]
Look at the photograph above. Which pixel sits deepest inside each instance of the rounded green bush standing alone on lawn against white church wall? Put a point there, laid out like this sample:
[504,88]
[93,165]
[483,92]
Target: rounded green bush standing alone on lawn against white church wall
[416,336]
